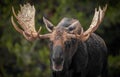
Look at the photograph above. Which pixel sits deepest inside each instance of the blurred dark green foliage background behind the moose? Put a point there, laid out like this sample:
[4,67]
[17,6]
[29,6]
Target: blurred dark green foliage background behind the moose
[21,58]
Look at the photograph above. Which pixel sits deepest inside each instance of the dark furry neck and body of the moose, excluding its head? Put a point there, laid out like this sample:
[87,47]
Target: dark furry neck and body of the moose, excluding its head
[89,59]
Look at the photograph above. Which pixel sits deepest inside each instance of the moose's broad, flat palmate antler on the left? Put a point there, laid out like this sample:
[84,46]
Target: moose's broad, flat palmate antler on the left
[25,18]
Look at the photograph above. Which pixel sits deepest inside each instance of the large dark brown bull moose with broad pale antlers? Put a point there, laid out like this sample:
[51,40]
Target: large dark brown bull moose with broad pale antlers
[74,52]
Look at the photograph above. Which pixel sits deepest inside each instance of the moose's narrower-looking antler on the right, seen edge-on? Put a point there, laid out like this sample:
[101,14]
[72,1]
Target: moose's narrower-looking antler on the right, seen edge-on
[97,19]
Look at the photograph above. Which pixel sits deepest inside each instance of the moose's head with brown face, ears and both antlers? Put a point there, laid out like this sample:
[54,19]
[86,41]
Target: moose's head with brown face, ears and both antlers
[60,36]
